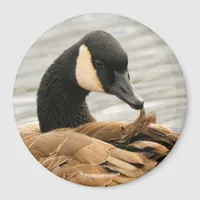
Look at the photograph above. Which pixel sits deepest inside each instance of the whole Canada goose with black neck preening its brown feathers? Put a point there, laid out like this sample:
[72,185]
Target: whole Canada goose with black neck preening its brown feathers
[69,142]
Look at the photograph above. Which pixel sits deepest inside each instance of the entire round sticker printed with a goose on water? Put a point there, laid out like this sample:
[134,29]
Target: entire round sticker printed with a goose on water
[100,100]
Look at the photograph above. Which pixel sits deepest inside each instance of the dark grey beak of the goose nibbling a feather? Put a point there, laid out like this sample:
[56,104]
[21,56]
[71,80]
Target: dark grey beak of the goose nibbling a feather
[123,89]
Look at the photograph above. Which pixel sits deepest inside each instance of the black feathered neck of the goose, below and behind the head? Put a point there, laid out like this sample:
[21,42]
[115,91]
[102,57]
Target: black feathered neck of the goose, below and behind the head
[61,102]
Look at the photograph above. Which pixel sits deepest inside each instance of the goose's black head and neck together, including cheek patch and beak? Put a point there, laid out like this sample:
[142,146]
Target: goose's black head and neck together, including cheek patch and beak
[97,62]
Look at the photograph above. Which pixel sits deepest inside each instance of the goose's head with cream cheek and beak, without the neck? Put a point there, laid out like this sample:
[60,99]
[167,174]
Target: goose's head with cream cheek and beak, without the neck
[102,66]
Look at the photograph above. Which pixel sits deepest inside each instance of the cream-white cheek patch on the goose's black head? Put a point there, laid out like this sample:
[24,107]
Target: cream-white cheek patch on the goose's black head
[86,75]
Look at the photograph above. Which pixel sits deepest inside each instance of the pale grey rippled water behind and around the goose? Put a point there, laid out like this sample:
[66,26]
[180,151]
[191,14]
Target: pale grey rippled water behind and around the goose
[154,70]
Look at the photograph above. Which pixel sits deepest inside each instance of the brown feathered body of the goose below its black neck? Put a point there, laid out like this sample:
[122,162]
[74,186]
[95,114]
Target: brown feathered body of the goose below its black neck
[98,153]
